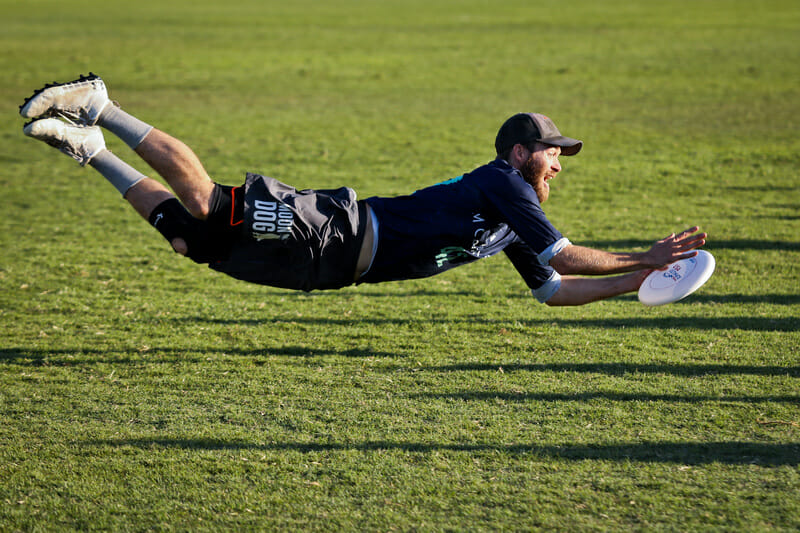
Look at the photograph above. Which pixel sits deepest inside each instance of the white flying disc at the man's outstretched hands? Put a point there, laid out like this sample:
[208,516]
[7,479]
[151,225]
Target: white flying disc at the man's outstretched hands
[678,281]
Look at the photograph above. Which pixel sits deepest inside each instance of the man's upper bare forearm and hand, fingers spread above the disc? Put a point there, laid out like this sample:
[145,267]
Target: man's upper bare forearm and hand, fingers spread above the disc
[588,261]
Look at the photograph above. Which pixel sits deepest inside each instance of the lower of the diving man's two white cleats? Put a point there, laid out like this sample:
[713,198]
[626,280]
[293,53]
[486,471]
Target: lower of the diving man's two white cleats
[80,143]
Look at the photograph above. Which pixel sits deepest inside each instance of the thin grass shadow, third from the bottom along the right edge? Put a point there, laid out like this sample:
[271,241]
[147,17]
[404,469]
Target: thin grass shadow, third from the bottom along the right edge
[621,369]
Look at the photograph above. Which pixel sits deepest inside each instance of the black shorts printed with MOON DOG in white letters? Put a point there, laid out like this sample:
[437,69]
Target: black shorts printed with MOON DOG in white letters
[292,239]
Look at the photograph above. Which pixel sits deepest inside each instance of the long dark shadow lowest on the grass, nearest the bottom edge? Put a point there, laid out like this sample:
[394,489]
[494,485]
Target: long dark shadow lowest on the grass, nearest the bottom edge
[736,453]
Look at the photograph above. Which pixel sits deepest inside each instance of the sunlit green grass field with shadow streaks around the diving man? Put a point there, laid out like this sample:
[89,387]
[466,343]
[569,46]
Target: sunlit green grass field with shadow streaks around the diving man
[139,391]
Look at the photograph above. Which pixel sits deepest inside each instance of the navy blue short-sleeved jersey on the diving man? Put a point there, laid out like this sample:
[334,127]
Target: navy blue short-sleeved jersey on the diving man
[464,219]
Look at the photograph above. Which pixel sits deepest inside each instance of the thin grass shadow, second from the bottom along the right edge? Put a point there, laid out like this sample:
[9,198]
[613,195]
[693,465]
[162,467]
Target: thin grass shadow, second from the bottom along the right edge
[599,395]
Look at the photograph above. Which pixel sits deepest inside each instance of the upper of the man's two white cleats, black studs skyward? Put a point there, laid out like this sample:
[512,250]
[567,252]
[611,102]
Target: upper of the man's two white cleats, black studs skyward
[79,101]
